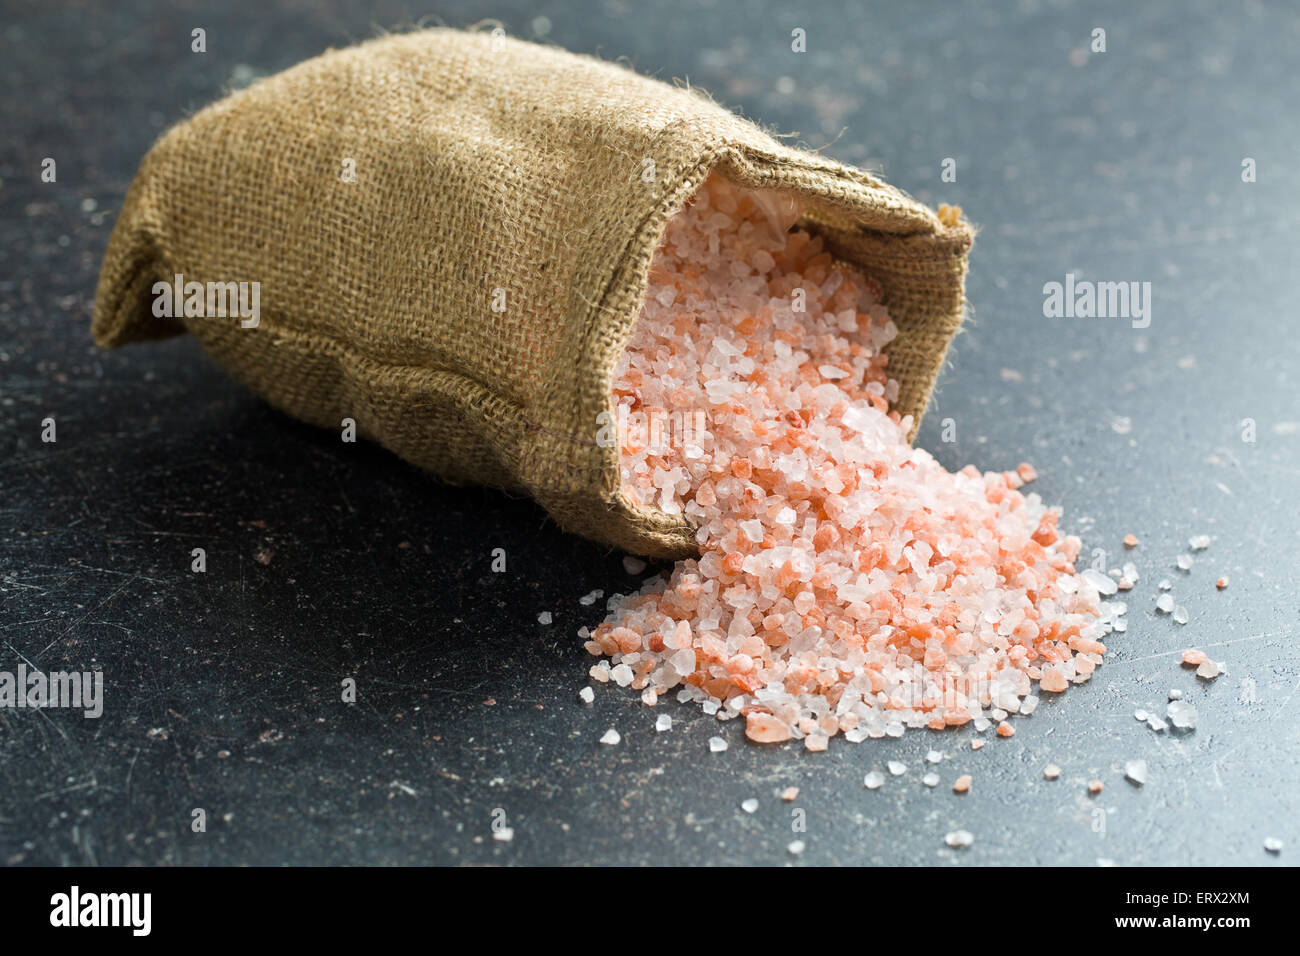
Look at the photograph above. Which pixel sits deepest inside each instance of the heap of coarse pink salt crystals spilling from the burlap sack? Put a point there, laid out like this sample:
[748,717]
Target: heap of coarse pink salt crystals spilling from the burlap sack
[847,582]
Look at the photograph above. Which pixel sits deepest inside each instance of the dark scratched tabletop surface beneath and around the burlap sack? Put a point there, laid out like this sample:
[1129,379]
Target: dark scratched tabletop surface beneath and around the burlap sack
[328,561]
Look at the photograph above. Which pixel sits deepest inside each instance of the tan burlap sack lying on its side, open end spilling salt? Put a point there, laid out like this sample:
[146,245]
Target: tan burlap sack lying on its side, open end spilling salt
[488,174]
